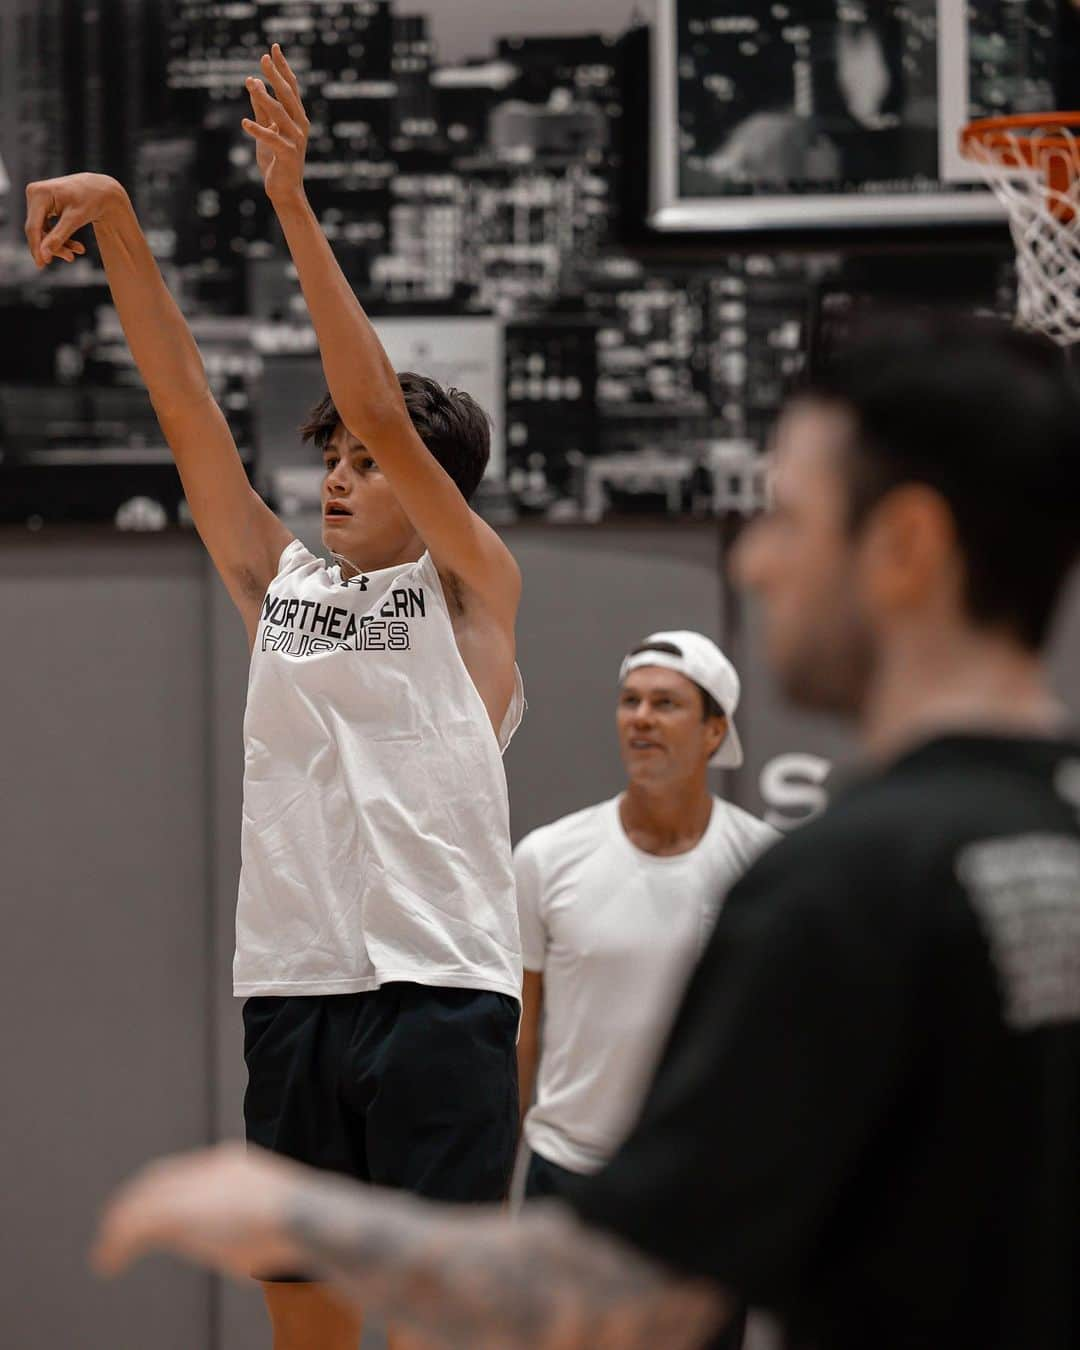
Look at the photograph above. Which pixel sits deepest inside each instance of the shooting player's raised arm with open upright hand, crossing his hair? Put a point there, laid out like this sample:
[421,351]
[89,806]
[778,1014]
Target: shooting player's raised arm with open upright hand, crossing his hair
[362,383]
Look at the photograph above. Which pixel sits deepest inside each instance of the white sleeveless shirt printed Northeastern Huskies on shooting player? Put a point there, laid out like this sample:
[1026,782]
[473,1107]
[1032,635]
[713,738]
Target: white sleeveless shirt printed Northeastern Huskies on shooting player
[376,836]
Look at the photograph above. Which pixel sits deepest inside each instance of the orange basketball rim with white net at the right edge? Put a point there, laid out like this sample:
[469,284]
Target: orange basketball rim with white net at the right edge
[1032,161]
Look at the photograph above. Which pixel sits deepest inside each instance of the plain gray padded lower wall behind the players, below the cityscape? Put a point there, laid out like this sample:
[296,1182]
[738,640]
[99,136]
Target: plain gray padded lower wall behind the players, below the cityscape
[122,697]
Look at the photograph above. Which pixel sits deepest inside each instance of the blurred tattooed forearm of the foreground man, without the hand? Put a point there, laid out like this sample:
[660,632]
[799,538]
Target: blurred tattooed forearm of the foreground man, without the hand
[469,1278]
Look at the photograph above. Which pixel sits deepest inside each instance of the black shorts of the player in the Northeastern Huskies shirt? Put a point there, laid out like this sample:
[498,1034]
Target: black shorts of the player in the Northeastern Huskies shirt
[407,1087]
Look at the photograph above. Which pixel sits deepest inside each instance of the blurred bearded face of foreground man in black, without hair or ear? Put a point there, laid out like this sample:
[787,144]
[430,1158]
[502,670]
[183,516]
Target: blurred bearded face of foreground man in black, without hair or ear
[807,568]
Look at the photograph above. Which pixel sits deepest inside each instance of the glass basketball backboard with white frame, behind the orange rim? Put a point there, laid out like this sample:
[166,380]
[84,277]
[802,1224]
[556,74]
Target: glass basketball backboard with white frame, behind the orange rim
[836,113]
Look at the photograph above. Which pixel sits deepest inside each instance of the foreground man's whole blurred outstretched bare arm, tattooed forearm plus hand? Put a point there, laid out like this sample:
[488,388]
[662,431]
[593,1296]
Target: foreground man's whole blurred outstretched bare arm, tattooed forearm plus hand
[465,1276]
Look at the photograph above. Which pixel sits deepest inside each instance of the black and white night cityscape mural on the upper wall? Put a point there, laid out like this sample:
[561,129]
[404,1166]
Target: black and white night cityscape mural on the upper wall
[472,172]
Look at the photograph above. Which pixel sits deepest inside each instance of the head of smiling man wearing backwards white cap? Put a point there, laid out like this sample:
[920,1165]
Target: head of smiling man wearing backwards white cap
[677,700]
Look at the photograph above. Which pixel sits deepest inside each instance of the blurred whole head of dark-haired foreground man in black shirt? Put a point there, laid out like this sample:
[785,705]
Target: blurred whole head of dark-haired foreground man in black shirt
[925,488]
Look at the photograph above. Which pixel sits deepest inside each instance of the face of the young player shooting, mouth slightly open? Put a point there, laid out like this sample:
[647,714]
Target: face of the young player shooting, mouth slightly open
[362,519]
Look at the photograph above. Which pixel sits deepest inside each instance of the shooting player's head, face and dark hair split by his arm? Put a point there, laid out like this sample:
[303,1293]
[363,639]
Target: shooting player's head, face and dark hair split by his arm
[362,520]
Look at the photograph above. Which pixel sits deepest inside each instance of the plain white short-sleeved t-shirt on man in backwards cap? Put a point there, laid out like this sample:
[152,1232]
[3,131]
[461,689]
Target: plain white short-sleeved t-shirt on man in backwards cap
[616,934]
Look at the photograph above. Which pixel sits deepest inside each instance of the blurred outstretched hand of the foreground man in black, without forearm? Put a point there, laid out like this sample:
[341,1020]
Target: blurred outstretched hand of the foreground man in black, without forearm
[223,1208]
